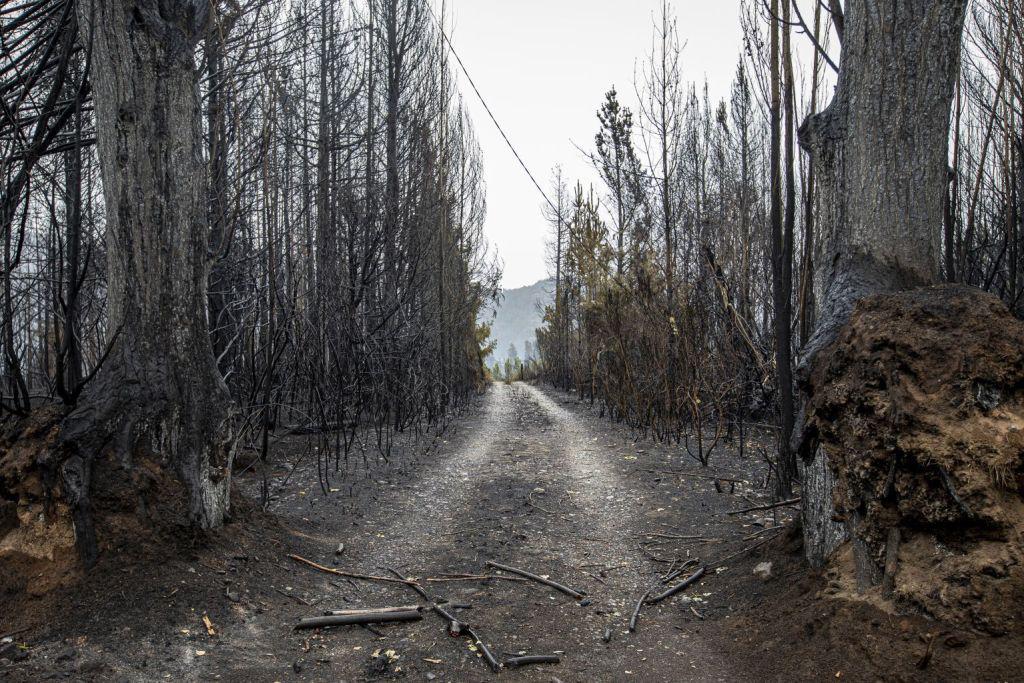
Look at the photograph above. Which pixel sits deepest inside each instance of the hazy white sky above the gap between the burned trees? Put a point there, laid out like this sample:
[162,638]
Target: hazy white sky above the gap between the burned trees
[544,67]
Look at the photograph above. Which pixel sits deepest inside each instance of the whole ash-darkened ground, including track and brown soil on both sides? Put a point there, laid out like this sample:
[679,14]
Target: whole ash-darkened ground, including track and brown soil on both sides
[529,479]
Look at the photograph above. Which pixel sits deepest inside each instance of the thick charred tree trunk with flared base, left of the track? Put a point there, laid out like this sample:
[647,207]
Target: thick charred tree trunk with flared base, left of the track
[159,395]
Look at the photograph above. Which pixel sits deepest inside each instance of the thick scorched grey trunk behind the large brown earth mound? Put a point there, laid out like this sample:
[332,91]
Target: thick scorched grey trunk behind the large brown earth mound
[881,148]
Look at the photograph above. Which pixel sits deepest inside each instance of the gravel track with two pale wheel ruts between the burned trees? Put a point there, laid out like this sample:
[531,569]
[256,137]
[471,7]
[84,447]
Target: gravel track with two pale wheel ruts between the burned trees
[533,486]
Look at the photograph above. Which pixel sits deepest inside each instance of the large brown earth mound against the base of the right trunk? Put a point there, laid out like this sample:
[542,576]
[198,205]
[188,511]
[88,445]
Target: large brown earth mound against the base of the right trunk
[920,406]
